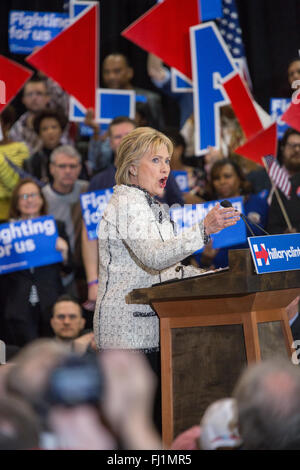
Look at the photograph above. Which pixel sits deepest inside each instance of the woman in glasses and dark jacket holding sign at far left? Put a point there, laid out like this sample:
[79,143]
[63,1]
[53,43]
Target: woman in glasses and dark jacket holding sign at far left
[30,293]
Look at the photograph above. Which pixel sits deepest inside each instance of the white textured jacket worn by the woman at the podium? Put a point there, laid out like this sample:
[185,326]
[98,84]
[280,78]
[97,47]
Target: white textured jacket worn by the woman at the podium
[138,247]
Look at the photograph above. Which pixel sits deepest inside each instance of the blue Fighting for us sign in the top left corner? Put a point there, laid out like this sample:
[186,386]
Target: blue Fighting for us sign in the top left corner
[30,29]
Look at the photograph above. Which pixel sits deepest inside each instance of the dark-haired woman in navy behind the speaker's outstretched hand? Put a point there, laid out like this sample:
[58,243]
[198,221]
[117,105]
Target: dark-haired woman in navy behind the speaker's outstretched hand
[227,180]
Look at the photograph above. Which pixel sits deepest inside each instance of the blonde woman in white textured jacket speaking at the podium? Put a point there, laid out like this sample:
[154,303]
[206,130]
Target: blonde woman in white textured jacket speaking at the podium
[138,246]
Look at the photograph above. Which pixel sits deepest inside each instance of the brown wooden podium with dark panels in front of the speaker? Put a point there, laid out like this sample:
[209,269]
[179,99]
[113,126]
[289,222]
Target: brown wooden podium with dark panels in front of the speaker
[211,327]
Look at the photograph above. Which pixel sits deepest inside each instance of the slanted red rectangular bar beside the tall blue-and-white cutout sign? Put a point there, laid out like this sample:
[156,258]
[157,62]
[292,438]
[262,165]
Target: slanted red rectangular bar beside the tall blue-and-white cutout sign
[243,105]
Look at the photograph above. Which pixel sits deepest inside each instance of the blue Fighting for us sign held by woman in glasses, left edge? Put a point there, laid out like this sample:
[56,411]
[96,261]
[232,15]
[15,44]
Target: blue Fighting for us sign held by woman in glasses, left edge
[27,244]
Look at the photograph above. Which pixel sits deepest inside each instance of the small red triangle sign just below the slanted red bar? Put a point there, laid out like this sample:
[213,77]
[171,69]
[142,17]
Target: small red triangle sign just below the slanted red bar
[262,143]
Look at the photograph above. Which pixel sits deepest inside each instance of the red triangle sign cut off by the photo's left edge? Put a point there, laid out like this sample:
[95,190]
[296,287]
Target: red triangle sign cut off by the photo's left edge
[13,77]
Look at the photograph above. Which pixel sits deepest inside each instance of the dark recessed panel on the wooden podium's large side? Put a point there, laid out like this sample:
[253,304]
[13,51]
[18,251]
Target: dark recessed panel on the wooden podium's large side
[207,362]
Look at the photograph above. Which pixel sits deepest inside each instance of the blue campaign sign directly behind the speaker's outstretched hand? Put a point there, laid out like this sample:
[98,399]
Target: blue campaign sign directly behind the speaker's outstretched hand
[189,215]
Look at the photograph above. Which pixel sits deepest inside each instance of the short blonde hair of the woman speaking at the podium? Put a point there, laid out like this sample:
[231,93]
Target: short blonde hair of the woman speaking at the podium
[134,146]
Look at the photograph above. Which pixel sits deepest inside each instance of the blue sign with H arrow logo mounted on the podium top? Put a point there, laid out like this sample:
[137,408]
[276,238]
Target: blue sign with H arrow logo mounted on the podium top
[275,253]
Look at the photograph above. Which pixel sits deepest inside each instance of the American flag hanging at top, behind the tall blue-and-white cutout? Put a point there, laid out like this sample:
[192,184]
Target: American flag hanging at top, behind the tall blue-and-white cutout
[229,27]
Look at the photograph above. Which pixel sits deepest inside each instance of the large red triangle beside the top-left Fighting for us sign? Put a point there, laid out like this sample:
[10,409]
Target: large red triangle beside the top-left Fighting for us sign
[71,58]
